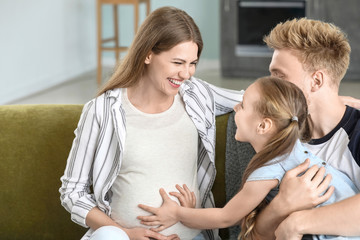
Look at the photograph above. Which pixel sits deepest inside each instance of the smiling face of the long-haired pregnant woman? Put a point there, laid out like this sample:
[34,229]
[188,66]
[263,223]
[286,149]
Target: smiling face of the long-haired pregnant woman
[165,72]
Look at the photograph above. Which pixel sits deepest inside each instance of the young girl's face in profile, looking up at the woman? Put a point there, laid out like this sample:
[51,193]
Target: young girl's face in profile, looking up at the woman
[246,118]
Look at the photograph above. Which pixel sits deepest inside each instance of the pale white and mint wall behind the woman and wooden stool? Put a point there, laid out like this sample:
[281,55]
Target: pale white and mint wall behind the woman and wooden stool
[46,42]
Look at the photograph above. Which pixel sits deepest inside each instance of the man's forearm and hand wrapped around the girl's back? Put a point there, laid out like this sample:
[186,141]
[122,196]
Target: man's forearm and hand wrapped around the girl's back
[296,193]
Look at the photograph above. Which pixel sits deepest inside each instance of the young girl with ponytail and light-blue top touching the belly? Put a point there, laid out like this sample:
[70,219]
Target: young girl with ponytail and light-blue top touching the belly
[273,118]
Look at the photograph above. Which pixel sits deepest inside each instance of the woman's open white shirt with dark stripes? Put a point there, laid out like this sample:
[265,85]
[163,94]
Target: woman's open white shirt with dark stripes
[96,153]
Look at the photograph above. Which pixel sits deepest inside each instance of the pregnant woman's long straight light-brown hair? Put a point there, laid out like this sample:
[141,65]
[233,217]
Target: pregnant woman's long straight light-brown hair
[163,29]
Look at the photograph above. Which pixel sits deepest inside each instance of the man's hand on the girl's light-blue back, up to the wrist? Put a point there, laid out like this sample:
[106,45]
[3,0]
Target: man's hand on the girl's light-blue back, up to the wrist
[305,191]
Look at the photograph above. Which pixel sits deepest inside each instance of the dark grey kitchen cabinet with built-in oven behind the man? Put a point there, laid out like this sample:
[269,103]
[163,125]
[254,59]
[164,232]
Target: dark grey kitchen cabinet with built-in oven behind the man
[245,22]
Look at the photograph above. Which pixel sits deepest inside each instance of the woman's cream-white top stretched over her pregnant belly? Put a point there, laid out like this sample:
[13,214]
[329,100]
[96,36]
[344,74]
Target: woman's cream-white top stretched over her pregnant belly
[160,152]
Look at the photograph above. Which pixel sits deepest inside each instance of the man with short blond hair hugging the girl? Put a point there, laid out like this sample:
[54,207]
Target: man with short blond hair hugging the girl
[315,56]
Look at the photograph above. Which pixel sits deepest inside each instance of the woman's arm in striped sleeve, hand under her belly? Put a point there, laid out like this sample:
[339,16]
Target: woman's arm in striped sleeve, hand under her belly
[75,192]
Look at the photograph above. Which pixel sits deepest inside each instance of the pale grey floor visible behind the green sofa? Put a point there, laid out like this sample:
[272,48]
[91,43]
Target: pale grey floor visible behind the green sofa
[83,88]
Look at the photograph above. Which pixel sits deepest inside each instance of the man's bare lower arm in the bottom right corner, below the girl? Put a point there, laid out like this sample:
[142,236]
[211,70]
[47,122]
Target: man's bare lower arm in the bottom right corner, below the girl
[341,218]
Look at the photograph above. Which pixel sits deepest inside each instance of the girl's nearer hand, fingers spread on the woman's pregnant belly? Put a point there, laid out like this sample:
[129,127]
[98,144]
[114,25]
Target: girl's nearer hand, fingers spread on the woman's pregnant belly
[164,216]
